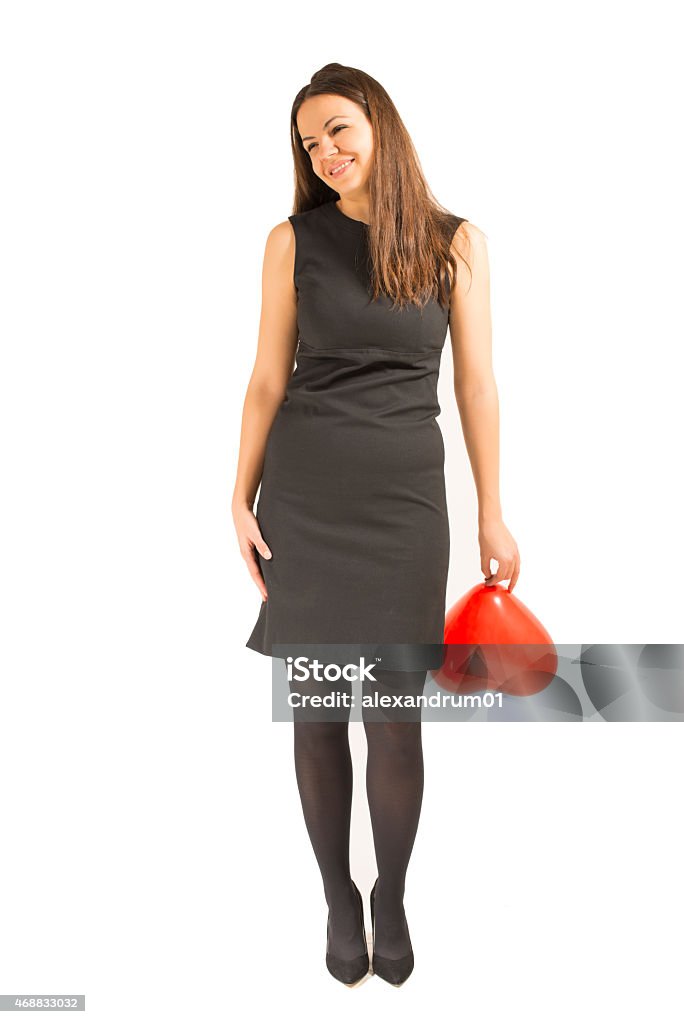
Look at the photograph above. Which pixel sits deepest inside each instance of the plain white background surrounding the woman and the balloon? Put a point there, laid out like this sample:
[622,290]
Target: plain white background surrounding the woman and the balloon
[153,852]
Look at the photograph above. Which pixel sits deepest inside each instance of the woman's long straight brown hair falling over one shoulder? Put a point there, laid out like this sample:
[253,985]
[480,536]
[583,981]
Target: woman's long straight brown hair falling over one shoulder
[410,234]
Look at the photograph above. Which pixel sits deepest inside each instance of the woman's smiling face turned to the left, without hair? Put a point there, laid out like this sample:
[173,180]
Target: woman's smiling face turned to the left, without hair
[335,132]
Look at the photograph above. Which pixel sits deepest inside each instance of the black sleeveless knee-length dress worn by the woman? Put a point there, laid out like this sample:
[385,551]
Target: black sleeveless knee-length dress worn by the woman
[353,501]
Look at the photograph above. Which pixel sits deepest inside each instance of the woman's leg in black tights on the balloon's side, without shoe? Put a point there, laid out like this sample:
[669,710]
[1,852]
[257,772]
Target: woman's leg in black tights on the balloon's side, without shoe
[395,785]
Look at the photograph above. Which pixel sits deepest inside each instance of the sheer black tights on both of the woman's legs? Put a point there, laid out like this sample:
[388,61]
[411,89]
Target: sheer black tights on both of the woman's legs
[395,787]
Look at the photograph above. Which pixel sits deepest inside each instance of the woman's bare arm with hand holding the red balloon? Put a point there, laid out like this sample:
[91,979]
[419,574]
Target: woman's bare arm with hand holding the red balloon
[478,399]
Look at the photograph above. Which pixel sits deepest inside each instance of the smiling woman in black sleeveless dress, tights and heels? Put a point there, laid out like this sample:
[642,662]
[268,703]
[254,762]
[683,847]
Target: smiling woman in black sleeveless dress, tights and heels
[352,541]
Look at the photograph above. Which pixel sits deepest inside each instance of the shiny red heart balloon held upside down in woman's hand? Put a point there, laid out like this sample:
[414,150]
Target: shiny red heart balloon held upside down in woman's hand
[495,643]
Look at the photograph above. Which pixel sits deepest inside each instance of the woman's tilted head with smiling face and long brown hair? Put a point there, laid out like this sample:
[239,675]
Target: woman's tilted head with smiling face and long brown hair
[334,148]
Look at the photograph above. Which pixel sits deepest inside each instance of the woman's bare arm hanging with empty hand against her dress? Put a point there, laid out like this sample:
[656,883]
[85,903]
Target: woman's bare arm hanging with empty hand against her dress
[273,368]
